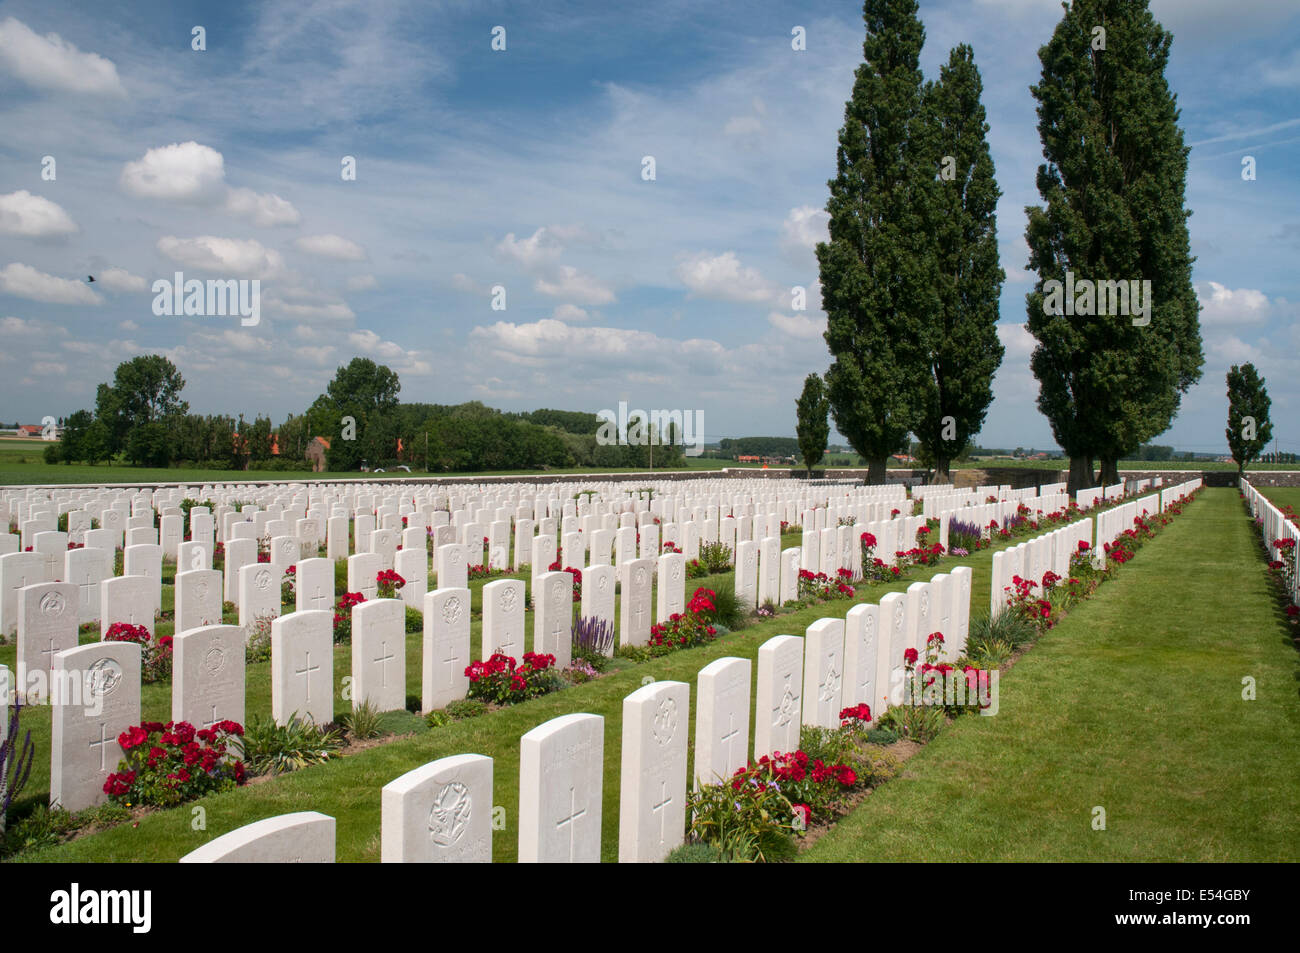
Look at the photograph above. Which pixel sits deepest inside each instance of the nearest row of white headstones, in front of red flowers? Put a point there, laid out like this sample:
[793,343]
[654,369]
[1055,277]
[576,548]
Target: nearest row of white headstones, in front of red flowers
[443,812]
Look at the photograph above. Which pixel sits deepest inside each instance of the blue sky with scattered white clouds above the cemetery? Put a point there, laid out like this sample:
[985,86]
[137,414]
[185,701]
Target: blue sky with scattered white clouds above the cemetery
[523,170]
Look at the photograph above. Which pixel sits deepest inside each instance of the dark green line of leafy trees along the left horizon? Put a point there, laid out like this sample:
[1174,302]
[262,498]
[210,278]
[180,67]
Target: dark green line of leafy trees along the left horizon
[141,419]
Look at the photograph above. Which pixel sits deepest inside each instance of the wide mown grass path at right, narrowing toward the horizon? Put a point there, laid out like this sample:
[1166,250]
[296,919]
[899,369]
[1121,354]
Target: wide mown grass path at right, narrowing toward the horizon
[1133,704]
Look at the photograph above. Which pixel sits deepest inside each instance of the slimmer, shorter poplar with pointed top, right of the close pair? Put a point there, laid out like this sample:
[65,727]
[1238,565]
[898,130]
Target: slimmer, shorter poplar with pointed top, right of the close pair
[960,339]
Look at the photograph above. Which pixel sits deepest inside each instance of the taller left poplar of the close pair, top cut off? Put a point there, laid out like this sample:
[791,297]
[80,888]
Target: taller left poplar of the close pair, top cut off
[878,270]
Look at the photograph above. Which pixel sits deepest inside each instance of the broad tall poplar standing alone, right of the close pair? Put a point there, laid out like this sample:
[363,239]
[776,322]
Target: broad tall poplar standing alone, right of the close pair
[1113,184]
